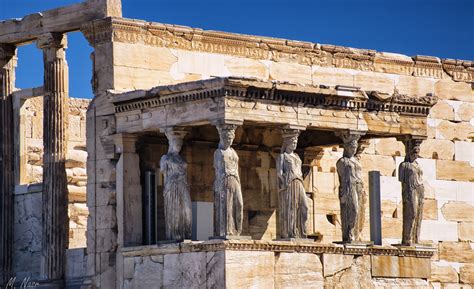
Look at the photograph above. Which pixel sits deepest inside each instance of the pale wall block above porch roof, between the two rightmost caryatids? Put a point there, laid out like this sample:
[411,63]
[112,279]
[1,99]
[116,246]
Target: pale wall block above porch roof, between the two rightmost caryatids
[375,81]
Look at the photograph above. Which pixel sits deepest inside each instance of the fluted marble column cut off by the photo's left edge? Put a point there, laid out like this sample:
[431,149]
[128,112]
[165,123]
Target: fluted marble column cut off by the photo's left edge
[7,81]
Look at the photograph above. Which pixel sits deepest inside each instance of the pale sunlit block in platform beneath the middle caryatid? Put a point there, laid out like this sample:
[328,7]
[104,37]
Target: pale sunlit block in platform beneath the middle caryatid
[300,270]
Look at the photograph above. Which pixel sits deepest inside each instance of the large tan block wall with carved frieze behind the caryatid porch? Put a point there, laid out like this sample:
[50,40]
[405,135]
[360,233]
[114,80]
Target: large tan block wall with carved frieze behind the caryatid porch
[139,55]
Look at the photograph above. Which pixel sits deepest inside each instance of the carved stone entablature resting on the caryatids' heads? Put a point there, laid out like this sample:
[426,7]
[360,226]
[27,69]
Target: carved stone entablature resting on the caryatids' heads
[317,107]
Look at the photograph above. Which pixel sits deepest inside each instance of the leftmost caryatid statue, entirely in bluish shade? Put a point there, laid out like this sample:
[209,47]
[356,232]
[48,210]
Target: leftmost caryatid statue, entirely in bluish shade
[177,200]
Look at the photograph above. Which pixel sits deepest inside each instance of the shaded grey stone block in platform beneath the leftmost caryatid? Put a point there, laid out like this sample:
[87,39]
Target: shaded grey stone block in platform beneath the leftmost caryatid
[185,270]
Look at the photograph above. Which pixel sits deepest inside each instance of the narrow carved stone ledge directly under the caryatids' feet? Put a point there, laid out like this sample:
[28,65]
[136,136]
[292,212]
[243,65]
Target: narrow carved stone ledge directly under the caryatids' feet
[277,246]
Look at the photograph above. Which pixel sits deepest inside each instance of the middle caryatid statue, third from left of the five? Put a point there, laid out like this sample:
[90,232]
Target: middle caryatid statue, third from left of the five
[292,201]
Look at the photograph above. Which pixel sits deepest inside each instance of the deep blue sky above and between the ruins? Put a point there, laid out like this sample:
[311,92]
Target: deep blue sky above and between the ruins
[443,28]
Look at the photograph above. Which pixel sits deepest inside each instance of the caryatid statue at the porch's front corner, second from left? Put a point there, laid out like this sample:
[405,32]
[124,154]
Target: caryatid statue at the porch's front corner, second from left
[228,202]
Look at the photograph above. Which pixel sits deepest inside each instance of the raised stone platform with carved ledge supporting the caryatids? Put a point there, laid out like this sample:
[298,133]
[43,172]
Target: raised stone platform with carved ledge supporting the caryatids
[273,264]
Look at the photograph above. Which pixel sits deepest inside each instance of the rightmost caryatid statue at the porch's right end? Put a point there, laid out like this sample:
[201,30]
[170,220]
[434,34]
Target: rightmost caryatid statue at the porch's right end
[410,175]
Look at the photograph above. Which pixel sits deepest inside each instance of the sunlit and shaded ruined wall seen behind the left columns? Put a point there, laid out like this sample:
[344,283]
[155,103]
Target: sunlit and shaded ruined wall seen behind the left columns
[28,194]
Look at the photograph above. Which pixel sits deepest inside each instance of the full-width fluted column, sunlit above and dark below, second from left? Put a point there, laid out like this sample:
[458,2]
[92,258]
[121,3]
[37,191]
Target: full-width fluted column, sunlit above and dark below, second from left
[55,195]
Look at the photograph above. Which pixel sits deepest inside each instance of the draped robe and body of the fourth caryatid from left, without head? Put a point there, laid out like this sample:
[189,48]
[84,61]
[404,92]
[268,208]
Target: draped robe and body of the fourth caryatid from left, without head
[350,190]
